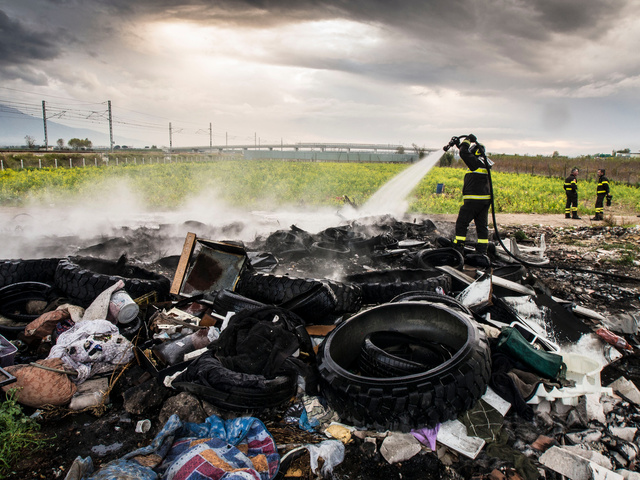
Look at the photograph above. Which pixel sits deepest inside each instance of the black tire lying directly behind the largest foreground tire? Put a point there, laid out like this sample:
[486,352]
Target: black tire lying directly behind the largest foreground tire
[383,286]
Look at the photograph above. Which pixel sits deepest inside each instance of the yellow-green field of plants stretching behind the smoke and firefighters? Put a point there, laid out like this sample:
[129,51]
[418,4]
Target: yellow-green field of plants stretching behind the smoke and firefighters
[267,184]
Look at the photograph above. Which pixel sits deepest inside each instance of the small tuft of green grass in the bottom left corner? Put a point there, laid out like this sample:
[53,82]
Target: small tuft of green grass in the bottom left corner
[18,434]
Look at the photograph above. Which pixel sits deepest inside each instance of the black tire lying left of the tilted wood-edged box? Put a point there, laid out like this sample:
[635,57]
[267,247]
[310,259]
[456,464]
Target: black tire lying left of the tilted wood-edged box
[83,279]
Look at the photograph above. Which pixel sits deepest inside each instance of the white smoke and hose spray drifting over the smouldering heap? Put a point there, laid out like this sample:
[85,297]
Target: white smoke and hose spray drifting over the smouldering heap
[109,216]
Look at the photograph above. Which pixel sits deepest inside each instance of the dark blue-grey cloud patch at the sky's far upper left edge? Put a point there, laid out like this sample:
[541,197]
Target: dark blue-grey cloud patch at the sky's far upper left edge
[21,45]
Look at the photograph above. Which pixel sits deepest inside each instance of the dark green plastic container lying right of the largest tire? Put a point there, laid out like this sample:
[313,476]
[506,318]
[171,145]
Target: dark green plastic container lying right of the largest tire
[547,364]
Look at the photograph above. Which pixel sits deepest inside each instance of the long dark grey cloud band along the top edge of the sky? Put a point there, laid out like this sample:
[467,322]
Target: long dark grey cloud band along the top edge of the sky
[423,18]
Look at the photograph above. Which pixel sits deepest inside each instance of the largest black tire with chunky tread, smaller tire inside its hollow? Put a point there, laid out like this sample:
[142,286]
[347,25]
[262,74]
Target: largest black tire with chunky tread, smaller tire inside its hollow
[410,401]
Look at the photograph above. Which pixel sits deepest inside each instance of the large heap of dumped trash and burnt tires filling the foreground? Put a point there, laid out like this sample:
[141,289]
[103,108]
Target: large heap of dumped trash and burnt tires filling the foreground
[371,349]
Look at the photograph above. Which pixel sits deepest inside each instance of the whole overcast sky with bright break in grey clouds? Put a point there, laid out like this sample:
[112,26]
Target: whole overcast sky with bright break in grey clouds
[525,76]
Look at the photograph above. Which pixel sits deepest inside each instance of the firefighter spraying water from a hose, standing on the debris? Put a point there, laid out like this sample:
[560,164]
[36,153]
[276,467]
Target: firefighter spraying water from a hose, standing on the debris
[476,195]
